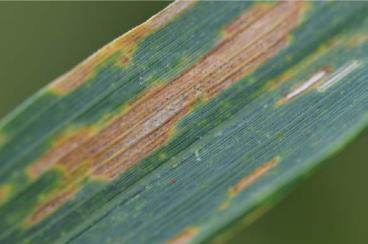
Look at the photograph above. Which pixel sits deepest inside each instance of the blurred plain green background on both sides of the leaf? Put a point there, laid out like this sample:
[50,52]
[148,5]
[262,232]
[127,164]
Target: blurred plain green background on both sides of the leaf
[41,40]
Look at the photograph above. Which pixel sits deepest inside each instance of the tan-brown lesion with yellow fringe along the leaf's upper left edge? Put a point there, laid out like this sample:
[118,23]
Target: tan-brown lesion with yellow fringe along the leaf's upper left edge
[126,45]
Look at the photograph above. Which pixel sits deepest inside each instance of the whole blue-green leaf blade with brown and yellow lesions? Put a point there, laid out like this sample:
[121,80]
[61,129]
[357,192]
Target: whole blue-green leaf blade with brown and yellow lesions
[186,124]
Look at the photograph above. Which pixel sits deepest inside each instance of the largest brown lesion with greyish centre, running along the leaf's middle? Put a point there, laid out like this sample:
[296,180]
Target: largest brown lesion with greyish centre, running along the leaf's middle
[148,123]
